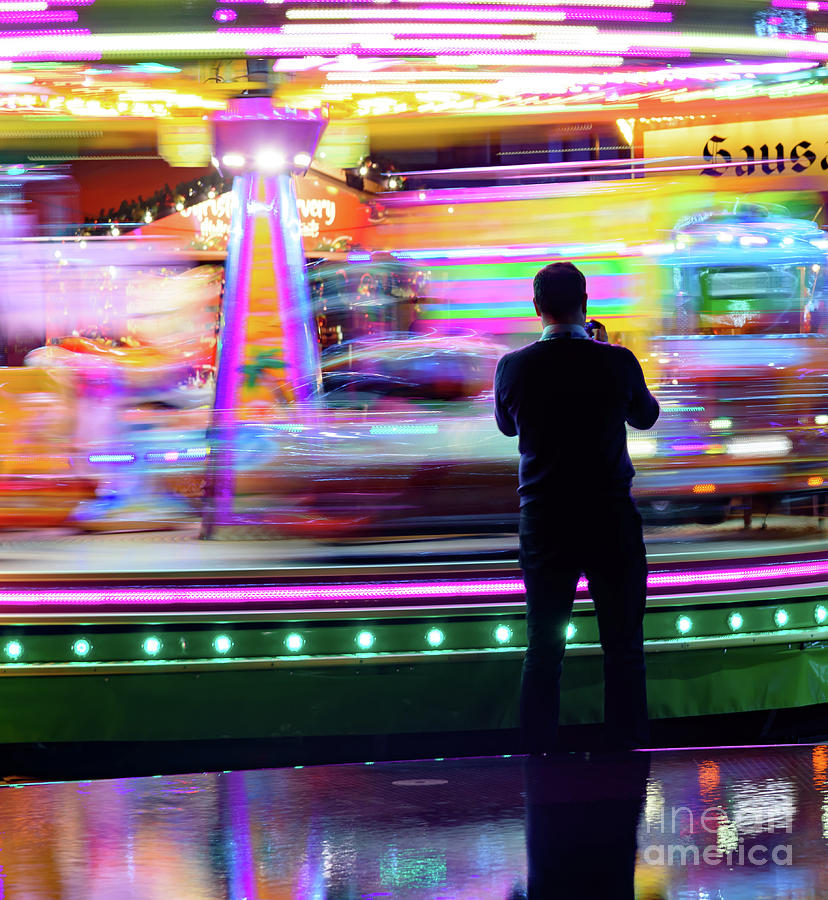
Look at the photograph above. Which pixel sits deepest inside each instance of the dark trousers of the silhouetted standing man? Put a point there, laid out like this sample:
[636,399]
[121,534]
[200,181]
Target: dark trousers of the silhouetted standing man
[561,538]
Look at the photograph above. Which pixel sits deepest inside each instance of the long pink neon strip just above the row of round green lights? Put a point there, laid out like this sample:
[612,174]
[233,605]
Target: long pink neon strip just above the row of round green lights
[423,590]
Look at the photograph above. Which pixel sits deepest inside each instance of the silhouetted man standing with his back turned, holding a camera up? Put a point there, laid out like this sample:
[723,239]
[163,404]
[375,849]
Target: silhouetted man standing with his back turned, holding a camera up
[568,397]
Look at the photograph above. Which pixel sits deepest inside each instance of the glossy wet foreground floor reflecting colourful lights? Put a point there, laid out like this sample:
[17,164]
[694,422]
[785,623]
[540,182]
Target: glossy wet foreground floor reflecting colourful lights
[702,824]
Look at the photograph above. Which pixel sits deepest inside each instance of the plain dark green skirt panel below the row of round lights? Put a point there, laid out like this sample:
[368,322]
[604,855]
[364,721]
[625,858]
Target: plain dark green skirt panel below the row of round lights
[359,698]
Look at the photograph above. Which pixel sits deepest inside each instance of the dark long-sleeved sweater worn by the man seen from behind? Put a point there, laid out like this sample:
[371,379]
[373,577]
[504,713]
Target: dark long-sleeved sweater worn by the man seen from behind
[568,399]
